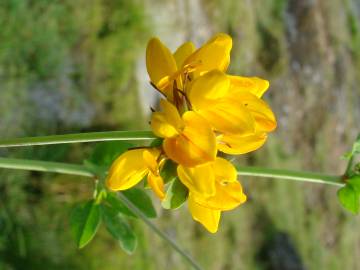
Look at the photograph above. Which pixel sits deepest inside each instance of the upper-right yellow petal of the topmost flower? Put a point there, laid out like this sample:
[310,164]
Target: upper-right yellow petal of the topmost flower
[215,54]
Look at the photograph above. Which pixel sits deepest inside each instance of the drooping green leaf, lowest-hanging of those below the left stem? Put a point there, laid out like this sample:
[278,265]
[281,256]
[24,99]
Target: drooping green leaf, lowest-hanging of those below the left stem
[119,229]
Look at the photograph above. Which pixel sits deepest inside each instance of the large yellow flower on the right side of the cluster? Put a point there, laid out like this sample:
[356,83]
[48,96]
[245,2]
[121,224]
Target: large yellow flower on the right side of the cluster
[233,107]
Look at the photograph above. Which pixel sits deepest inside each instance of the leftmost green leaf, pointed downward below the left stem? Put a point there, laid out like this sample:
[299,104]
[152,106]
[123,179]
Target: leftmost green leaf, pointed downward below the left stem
[85,220]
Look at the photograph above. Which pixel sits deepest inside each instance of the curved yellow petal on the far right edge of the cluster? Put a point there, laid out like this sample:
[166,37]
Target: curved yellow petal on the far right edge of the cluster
[262,113]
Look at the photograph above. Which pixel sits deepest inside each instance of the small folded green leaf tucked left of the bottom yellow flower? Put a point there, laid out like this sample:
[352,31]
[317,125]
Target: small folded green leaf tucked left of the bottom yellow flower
[175,196]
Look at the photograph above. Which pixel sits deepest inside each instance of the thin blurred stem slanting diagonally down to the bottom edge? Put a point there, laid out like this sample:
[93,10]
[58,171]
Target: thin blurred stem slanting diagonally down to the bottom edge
[160,233]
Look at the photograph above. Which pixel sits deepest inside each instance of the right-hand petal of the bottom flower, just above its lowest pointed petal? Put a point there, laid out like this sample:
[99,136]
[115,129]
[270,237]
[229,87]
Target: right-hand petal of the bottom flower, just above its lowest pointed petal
[227,197]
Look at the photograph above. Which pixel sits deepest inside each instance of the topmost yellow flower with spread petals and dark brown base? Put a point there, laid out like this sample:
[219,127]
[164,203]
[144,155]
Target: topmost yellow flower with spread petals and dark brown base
[168,72]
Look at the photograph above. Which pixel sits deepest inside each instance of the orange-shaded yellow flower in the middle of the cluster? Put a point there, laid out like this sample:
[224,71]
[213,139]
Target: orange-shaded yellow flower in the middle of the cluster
[188,139]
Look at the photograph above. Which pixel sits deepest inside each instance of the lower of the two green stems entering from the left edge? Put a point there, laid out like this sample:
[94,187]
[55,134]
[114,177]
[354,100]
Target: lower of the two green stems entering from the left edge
[45,166]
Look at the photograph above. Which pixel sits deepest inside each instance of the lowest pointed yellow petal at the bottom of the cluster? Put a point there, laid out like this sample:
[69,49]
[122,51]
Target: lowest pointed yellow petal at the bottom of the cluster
[207,217]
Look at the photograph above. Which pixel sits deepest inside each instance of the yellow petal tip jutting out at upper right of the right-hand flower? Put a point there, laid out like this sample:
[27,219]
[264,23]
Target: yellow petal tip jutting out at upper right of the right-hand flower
[254,85]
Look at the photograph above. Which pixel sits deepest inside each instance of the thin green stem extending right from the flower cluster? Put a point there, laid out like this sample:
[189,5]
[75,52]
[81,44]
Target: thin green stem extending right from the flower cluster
[291,175]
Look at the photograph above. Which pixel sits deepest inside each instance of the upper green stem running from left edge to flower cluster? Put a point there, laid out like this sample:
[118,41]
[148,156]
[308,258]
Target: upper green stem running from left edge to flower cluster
[79,138]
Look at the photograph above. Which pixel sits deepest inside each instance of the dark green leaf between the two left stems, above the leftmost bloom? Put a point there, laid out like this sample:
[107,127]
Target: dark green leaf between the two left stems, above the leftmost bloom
[105,153]
